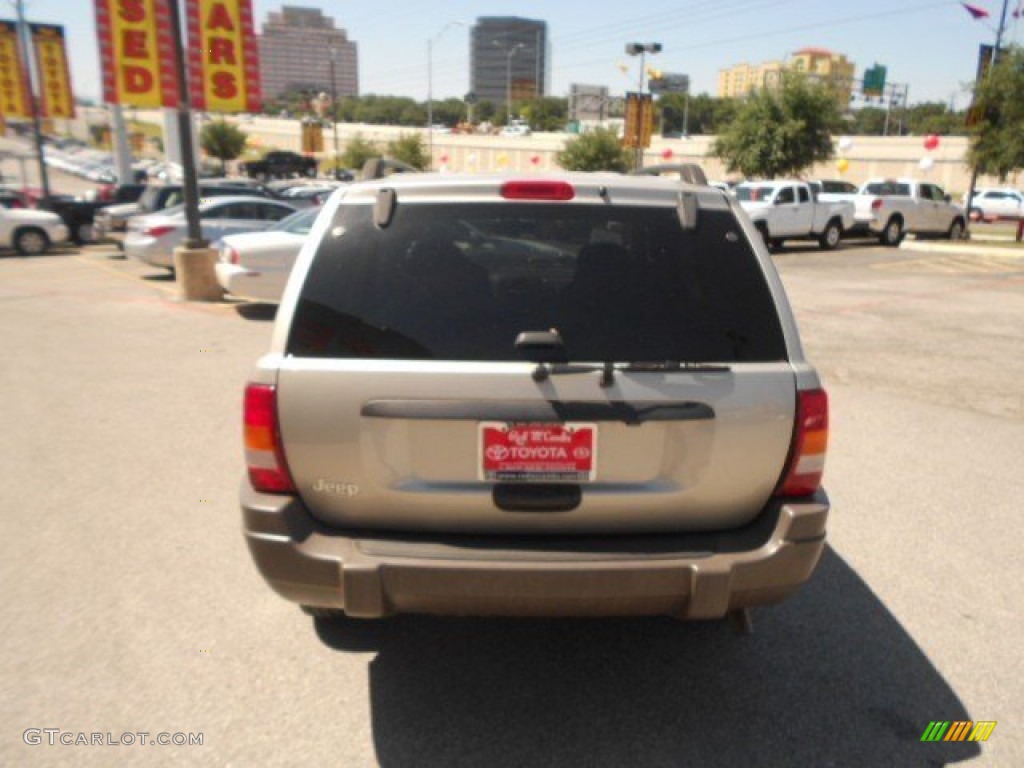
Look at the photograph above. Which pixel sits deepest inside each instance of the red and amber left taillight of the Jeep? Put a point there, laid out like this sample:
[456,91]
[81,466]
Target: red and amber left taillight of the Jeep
[265,454]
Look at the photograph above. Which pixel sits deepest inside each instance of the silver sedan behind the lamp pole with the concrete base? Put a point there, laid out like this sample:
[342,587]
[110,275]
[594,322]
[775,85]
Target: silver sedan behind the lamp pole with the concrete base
[152,239]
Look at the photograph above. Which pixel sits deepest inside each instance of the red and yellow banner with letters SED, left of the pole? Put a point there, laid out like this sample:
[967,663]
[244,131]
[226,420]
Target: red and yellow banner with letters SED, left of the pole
[137,53]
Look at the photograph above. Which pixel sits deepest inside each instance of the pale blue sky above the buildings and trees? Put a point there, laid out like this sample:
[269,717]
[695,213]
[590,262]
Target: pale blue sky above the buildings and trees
[931,47]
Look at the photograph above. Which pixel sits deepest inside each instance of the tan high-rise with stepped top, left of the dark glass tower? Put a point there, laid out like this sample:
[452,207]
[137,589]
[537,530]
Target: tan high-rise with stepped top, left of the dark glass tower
[295,51]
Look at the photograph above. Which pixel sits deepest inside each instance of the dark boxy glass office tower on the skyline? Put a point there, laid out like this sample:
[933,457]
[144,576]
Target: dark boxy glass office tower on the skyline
[492,44]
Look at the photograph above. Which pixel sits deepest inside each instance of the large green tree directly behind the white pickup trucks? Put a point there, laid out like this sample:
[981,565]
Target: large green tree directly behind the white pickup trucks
[781,133]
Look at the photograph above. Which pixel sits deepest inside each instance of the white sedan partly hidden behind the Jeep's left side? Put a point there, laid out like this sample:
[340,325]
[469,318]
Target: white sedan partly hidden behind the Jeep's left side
[257,267]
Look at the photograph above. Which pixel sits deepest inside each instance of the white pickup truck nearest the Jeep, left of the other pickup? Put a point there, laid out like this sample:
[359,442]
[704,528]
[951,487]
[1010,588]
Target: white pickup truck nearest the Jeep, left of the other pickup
[789,210]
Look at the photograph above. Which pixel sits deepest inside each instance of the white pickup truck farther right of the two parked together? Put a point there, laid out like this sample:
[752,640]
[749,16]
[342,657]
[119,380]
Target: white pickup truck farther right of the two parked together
[891,208]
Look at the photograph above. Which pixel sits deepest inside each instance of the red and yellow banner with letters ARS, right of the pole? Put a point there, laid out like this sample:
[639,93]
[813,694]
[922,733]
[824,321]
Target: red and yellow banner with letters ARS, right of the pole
[224,60]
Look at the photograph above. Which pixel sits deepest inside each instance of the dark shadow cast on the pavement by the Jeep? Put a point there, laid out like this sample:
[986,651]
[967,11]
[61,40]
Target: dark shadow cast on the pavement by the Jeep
[829,678]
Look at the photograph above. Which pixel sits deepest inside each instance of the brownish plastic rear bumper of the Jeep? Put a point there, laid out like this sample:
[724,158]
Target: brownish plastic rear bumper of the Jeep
[373,575]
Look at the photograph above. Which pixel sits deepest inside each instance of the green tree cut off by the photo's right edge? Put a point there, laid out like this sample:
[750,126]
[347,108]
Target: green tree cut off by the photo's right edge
[998,134]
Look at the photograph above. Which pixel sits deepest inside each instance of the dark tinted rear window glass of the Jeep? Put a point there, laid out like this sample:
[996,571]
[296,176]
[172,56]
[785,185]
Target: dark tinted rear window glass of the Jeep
[462,282]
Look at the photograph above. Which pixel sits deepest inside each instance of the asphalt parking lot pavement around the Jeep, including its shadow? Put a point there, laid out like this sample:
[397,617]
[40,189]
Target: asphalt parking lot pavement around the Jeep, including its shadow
[133,606]
